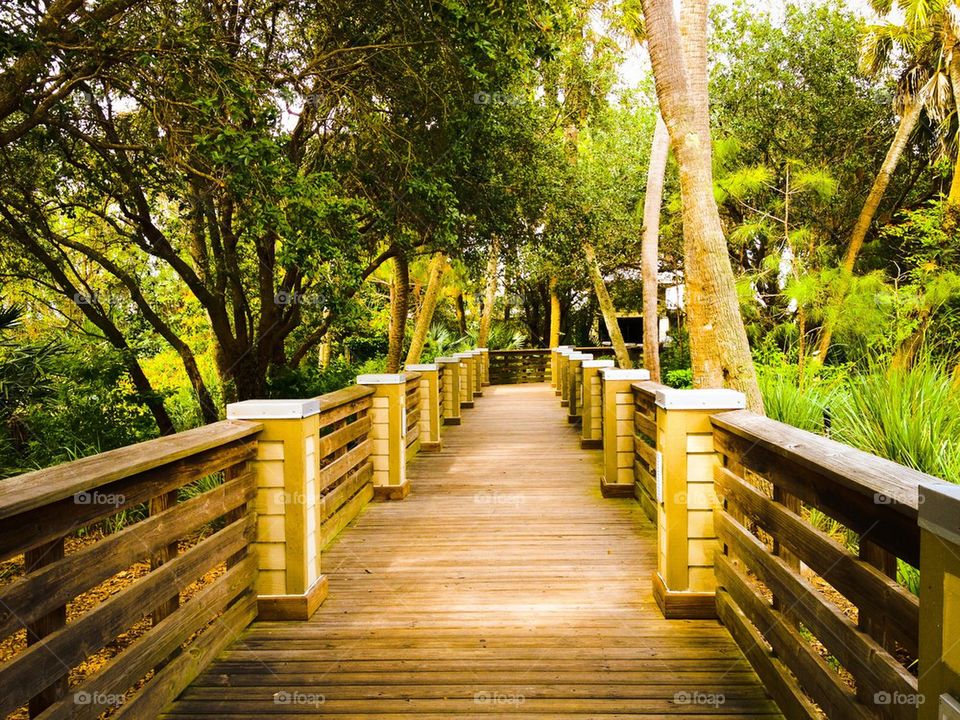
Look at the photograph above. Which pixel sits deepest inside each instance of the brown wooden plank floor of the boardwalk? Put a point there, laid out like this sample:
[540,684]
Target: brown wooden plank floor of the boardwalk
[504,584]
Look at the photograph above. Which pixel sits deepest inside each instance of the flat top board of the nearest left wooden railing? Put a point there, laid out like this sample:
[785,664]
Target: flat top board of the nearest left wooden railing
[43,487]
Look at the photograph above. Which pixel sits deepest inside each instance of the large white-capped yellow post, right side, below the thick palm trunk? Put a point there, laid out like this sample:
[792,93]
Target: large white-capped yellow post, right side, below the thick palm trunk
[684,585]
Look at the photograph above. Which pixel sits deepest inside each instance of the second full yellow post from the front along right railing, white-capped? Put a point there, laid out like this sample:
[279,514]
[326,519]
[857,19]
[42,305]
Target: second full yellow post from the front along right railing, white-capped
[616,394]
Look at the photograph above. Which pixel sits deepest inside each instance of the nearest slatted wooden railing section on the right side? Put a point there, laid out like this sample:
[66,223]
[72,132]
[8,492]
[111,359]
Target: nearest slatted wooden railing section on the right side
[819,614]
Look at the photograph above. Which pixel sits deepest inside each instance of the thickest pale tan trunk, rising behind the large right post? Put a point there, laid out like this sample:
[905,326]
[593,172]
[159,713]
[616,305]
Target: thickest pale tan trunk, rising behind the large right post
[719,348]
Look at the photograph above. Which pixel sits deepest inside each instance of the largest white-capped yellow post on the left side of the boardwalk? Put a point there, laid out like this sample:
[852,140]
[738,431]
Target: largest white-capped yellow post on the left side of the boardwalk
[290,585]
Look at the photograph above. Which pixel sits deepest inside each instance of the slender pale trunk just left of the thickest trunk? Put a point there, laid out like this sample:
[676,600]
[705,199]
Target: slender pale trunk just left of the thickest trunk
[649,260]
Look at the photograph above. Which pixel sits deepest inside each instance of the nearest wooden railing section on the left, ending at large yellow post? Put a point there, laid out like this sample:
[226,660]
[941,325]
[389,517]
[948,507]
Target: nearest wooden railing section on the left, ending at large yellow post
[181,535]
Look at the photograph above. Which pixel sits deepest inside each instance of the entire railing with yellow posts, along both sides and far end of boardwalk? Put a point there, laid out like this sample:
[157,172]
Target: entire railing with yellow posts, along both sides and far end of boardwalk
[791,540]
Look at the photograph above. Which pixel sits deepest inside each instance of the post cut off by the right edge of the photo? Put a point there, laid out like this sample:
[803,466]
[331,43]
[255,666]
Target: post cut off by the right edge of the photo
[939,671]
